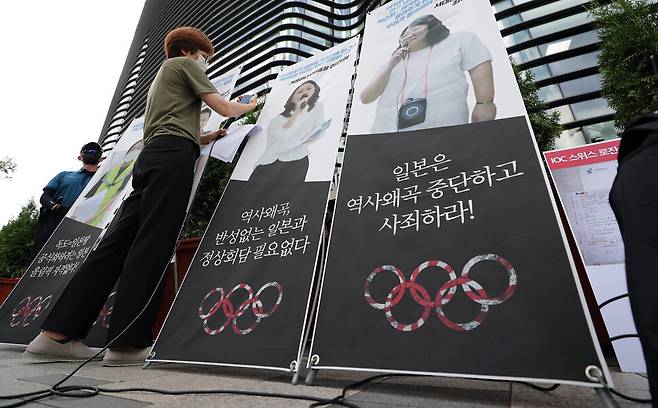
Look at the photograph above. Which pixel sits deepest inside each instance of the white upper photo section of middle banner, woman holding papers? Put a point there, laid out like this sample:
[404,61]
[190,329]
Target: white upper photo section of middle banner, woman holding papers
[301,122]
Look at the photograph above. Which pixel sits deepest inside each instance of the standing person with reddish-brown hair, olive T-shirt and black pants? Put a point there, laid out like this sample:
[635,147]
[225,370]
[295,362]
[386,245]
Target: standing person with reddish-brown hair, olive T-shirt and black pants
[139,245]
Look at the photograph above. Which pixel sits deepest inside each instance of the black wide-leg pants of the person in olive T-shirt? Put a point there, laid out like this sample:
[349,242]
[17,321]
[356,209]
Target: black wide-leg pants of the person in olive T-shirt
[137,248]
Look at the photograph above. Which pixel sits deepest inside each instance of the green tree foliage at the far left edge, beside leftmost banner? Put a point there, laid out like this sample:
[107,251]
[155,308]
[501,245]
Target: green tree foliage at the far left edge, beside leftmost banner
[16,239]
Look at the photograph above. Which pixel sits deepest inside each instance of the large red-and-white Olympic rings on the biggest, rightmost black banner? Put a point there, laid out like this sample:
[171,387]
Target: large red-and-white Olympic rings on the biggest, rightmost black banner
[444,295]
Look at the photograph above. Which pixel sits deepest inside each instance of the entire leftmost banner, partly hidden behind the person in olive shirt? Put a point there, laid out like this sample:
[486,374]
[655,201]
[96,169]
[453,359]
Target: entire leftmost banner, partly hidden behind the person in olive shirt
[65,251]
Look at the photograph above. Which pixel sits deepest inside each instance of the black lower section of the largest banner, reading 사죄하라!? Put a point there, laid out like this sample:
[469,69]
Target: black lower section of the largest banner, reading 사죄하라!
[446,257]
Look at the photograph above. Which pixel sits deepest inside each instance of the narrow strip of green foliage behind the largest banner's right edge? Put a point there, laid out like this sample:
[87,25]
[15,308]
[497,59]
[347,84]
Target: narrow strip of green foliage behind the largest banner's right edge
[546,126]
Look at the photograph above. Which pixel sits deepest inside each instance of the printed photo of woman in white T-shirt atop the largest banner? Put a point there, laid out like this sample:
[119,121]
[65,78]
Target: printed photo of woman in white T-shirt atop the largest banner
[424,64]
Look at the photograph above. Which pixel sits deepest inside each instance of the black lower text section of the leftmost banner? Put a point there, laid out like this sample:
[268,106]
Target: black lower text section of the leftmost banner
[44,281]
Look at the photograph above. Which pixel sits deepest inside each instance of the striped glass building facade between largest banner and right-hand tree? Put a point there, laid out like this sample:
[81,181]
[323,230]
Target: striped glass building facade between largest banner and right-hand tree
[556,41]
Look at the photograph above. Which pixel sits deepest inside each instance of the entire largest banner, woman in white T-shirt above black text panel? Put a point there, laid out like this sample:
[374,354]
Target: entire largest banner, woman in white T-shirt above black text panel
[446,256]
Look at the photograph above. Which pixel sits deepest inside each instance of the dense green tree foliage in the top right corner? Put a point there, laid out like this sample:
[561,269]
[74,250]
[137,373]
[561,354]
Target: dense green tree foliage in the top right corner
[629,37]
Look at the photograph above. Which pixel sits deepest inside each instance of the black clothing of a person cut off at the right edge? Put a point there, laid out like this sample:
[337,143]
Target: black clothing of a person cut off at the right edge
[634,199]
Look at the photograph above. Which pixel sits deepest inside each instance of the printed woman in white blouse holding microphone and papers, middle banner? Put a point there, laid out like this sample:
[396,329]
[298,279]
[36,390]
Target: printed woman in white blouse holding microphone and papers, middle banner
[288,134]
